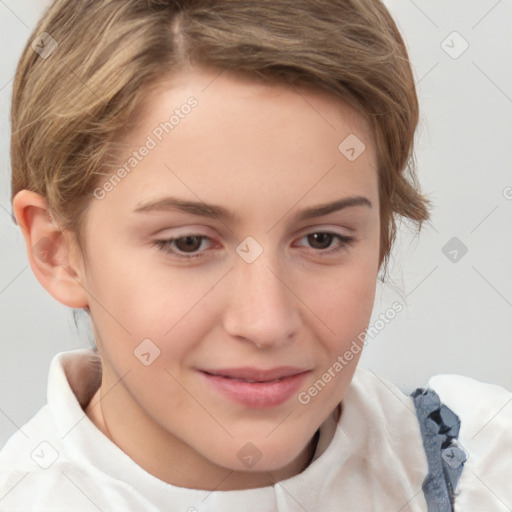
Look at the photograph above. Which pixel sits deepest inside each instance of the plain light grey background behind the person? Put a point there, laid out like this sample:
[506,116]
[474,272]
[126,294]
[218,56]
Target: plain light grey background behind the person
[457,316]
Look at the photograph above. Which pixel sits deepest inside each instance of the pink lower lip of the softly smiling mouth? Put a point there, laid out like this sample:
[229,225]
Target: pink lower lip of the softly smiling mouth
[257,395]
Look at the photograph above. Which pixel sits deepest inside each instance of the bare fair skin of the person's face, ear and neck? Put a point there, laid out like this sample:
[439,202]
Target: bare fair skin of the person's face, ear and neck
[264,152]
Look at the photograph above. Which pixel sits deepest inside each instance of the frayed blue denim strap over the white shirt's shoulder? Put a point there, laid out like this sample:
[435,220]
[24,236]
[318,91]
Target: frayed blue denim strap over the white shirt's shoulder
[439,428]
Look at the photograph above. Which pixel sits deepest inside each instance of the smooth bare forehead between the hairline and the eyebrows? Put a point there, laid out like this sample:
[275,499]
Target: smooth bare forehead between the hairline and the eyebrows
[265,141]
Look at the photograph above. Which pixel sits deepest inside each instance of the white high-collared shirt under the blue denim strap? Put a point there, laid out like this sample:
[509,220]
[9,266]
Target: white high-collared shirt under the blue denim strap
[371,460]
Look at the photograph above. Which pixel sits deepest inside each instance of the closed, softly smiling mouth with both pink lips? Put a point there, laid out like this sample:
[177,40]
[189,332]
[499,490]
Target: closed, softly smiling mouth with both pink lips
[256,388]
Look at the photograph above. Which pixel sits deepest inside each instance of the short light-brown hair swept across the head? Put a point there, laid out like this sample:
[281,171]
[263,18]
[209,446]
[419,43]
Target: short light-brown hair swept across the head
[69,109]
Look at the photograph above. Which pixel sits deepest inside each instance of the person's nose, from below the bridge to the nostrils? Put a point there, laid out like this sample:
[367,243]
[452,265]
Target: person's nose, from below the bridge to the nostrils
[262,308]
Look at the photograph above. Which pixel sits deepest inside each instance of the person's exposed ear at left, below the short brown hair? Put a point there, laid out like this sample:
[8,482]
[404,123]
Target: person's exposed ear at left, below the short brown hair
[53,254]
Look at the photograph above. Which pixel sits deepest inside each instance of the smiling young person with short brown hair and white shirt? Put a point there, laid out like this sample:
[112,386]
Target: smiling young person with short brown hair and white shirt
[216,185]
